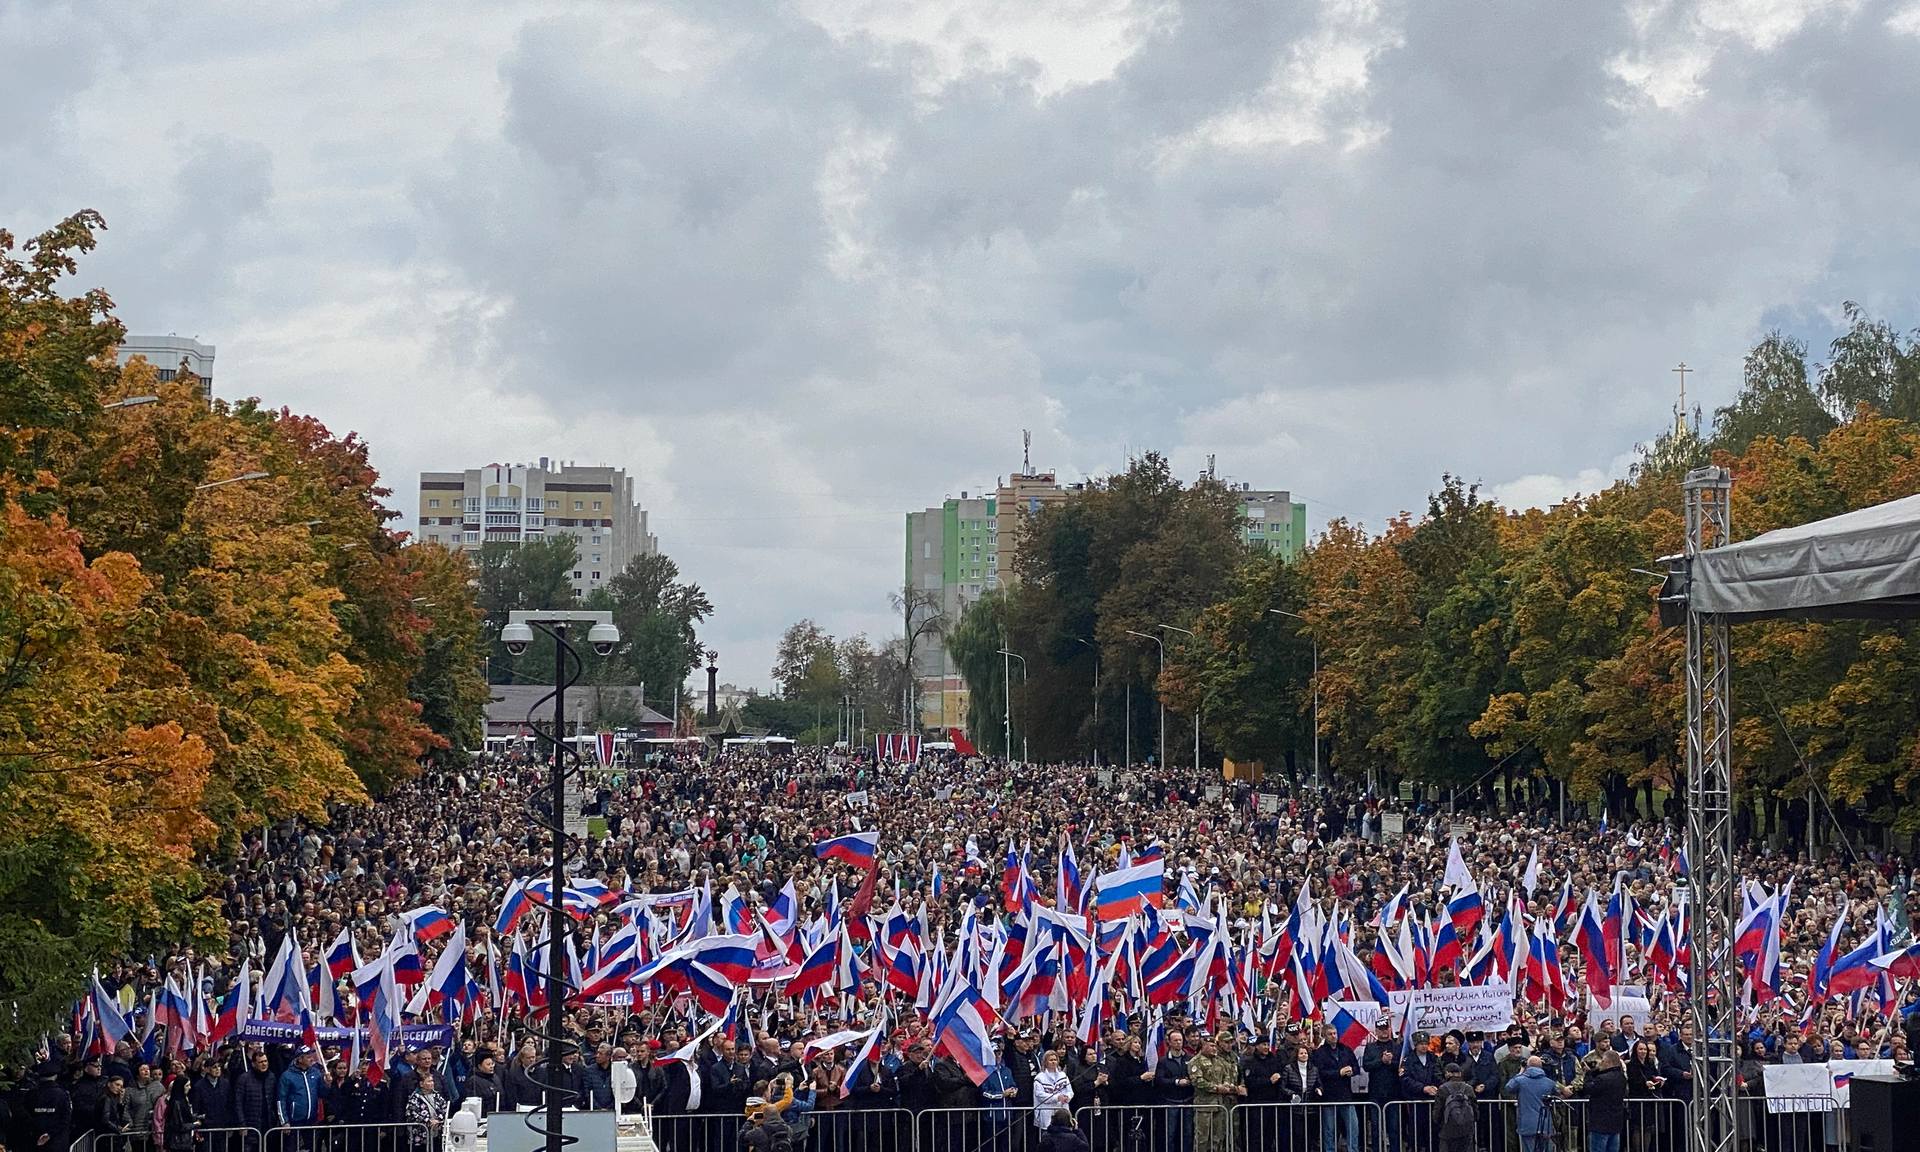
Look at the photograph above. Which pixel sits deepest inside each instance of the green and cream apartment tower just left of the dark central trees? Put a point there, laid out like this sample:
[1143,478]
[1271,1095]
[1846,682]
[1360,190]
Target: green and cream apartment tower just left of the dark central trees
[951,552]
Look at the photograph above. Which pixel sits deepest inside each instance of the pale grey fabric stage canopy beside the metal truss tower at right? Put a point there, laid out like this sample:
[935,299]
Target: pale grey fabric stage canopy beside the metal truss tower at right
[1856,565]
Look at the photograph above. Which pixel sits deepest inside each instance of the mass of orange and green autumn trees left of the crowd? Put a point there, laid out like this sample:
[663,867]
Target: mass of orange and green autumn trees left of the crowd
[185,658]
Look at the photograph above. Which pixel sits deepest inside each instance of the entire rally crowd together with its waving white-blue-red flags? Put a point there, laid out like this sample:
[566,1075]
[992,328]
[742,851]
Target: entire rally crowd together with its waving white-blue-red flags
[811,934]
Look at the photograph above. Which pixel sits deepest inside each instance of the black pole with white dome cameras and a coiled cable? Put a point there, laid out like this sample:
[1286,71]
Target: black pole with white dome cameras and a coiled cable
[604,638]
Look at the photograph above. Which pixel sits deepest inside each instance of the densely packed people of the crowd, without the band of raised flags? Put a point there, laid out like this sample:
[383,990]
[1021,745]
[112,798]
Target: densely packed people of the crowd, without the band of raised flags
[460,840]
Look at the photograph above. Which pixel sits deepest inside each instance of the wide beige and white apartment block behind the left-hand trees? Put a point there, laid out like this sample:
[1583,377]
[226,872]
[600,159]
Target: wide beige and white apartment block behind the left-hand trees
[514,504]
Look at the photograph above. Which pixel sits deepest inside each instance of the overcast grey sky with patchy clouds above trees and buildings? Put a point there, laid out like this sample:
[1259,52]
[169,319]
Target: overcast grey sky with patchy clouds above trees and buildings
[807,266]
